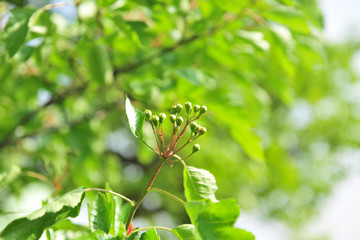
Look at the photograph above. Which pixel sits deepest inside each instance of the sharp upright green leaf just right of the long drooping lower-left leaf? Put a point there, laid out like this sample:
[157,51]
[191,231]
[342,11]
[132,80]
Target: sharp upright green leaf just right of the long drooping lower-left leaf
[101,213]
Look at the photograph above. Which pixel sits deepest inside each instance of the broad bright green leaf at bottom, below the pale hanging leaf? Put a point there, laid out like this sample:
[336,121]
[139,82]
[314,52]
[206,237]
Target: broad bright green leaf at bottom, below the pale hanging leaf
[215,221]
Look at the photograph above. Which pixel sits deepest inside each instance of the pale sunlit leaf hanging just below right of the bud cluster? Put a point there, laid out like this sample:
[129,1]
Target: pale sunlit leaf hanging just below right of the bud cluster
[199,184]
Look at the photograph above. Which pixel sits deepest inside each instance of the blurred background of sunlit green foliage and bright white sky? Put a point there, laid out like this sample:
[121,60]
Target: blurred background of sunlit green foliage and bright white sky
[280,79]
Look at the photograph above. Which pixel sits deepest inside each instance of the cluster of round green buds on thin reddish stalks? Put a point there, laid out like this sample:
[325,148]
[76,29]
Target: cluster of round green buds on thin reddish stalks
[179,127]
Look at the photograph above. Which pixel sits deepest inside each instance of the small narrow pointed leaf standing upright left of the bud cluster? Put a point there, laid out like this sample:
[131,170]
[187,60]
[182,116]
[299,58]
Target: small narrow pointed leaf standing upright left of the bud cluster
[136,119]
